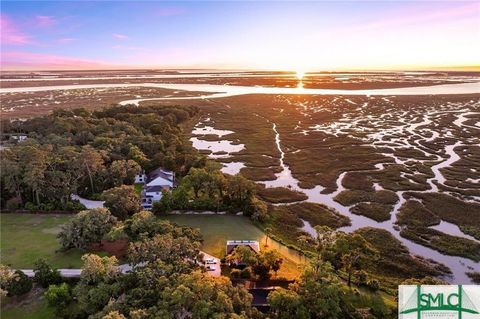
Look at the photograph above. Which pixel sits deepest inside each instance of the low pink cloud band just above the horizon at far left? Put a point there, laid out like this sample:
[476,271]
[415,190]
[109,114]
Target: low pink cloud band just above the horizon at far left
[29,60]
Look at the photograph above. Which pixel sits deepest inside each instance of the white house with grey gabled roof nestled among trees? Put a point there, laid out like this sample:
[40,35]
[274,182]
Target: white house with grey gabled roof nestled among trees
[156,182]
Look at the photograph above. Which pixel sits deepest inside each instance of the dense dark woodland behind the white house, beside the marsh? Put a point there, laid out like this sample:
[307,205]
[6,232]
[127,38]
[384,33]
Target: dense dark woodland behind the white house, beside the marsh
[78,152]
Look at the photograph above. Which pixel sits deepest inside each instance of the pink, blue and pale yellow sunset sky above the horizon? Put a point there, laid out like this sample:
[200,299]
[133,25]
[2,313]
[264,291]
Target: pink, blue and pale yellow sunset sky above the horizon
[329,35]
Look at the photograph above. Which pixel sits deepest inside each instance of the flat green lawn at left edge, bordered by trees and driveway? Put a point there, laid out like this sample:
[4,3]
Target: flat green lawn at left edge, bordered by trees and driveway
[27,237]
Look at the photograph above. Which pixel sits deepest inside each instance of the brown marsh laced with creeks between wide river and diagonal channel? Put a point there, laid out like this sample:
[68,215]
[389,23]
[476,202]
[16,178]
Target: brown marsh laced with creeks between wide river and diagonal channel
[365,156]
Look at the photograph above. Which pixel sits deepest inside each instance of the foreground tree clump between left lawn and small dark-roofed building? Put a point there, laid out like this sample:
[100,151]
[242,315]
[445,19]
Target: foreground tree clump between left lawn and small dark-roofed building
[167,280]
